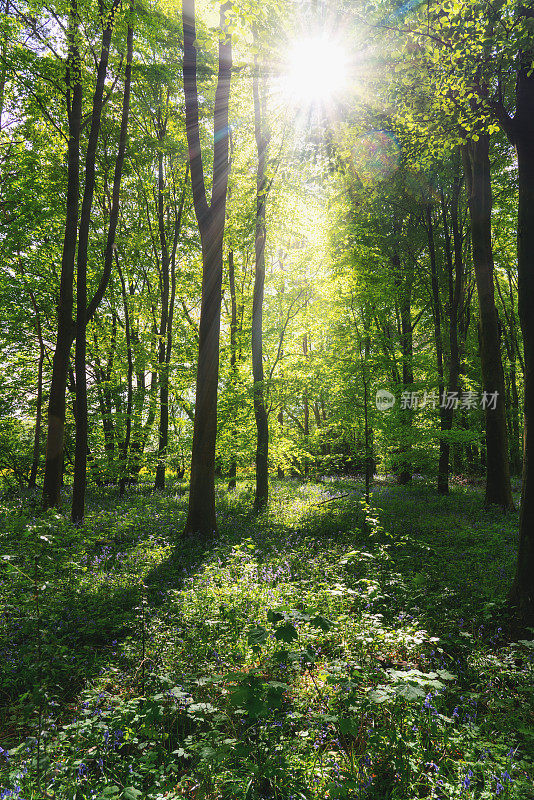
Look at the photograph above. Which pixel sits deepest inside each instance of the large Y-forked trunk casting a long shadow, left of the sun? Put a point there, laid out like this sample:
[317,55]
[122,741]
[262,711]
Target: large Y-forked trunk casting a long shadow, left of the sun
[201,519]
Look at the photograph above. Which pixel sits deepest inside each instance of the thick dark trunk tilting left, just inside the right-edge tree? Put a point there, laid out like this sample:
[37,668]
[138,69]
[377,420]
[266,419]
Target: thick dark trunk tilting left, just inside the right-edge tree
[478,183]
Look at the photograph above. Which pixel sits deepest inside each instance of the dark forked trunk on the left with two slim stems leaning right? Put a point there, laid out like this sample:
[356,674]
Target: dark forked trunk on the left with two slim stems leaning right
[82,315]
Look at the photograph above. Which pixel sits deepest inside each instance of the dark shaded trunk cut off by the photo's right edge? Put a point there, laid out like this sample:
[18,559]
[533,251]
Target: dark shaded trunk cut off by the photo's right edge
[522,591]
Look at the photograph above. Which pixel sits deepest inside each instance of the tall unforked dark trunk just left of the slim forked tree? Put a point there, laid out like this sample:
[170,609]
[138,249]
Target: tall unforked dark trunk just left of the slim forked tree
[56,405]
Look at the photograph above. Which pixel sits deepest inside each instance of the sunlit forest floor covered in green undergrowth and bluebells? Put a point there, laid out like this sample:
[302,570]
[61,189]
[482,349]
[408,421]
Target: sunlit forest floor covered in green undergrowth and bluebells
[322,650]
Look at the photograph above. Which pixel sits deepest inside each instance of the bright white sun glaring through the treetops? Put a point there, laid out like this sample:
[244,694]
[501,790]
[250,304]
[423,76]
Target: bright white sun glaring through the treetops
[316,71]
